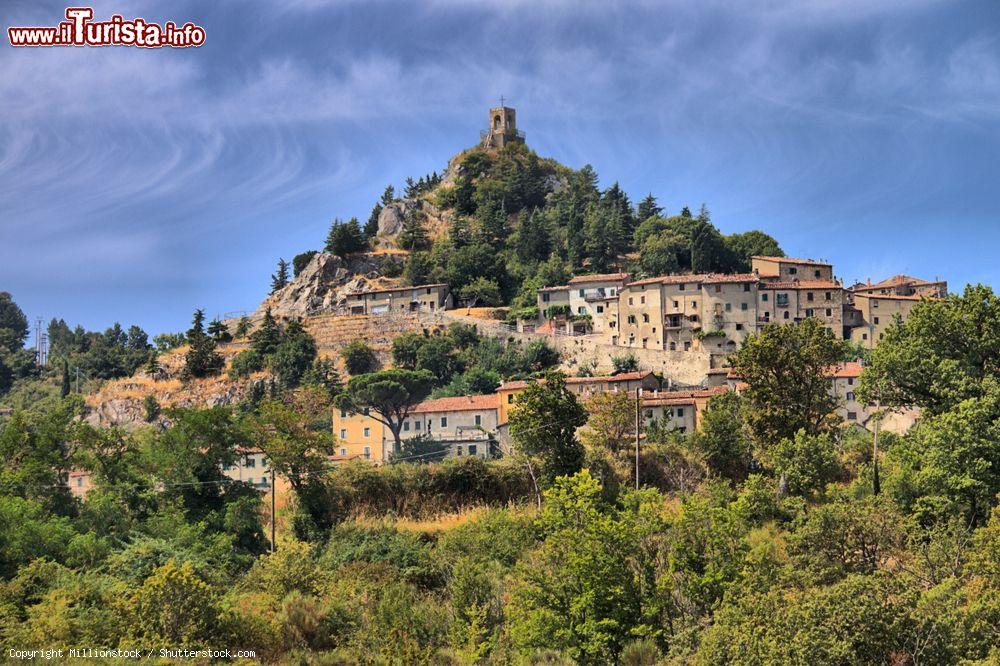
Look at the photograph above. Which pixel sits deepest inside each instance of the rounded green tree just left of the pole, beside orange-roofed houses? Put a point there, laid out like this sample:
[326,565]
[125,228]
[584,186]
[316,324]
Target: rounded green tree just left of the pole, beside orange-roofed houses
[543,423]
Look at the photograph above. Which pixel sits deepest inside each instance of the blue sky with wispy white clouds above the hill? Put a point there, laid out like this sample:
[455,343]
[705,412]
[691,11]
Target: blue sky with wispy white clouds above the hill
[139,184]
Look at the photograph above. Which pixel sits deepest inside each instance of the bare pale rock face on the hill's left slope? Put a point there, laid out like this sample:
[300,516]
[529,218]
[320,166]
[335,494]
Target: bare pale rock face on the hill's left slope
[323,285]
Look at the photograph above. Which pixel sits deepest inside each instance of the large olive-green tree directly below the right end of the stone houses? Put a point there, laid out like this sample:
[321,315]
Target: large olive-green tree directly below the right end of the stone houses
[786,368]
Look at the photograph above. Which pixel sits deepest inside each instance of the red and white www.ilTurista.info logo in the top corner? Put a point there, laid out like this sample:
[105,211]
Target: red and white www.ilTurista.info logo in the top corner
[80,30]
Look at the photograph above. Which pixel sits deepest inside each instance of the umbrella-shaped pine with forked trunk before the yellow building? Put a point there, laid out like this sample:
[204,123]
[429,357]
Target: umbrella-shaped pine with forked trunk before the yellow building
[389,395]
